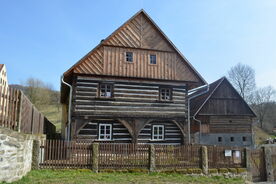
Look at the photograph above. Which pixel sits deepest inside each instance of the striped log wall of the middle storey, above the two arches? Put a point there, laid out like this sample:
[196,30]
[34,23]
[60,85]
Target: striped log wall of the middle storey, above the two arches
[130,99]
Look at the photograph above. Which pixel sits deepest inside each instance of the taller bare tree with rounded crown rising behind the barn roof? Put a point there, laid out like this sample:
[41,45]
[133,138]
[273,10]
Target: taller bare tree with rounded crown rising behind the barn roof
[242,78]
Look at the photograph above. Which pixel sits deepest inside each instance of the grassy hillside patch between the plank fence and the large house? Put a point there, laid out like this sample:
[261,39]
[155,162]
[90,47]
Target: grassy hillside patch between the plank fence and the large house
[53,114]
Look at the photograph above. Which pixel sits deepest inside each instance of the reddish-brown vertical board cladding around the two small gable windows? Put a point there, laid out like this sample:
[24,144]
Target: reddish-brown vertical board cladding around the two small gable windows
[169,65]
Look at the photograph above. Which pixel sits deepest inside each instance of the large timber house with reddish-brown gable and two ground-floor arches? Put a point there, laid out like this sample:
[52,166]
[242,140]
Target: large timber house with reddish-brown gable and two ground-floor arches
[132,87]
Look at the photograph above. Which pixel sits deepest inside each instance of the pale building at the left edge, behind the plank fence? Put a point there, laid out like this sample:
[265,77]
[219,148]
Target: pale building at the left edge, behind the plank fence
[4,86]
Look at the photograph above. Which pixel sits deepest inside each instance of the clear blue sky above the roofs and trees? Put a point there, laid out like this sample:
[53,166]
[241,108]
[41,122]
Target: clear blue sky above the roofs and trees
[42,39]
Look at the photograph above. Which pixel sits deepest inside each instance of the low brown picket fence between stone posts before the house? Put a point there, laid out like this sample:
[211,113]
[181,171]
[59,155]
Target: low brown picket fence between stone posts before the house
[79,154]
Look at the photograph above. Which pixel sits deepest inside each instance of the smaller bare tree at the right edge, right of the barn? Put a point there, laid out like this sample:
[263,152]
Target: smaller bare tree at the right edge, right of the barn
[262,101]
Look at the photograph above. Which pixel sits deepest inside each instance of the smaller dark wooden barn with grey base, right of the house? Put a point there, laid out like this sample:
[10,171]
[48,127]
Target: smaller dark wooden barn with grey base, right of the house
[225,118]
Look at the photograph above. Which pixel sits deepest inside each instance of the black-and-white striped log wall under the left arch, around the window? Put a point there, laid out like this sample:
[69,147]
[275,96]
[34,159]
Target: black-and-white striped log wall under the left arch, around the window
[90,131]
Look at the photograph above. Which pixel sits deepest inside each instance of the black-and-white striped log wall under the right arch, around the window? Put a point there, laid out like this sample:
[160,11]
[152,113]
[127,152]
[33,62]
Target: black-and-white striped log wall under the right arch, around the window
[172,133]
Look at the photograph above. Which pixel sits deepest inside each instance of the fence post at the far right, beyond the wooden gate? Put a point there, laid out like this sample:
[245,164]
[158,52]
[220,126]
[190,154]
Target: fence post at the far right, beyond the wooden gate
[268,164]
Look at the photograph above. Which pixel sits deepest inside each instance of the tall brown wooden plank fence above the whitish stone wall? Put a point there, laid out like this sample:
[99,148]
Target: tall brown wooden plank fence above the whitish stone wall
[19,114]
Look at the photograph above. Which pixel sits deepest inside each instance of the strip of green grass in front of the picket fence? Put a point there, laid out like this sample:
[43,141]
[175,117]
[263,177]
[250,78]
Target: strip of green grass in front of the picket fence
[86,176]
